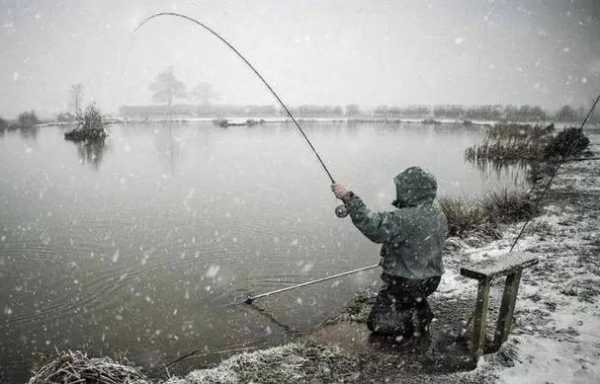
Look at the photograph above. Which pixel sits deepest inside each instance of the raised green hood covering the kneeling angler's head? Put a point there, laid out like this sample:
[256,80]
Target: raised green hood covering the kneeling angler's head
[414,186]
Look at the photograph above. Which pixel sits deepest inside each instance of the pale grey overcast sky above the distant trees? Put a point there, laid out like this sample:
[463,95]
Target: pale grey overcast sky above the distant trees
[313,52]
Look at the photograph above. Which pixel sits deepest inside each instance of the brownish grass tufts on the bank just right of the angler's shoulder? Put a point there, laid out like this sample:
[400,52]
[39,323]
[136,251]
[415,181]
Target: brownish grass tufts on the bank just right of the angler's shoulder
[481,217]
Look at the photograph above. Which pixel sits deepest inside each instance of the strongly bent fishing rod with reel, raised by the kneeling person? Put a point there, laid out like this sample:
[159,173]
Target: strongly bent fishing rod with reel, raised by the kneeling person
[341,210]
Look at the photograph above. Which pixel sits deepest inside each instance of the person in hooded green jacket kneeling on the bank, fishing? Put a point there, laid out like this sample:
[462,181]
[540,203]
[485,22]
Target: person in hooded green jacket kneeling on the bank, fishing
[413,238]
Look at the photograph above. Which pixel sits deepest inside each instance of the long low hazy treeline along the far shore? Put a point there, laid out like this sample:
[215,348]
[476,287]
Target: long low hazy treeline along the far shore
[459,112]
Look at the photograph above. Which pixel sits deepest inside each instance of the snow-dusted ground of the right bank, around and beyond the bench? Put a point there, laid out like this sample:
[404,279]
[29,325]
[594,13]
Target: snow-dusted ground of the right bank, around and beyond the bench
[556,338]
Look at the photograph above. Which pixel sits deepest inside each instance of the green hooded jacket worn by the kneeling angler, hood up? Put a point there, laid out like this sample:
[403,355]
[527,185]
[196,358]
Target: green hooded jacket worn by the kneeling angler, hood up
[413,234]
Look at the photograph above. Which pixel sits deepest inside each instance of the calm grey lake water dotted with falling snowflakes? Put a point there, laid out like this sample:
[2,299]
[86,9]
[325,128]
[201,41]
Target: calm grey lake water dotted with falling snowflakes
[139,247]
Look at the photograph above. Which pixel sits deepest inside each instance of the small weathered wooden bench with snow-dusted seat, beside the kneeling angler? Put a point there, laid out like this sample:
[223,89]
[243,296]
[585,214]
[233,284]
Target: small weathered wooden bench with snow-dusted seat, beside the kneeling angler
[510,265]
